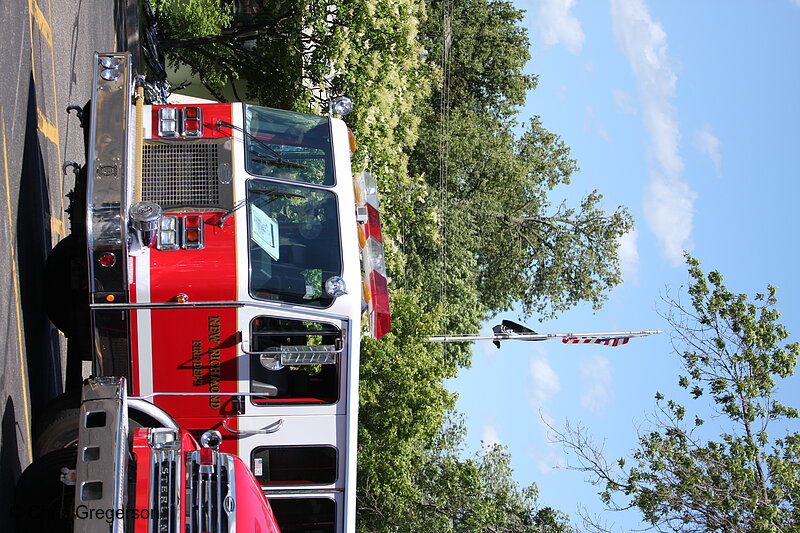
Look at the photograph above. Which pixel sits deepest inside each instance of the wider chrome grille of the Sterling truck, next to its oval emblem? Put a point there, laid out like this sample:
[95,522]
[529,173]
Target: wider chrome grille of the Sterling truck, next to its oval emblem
[210,494]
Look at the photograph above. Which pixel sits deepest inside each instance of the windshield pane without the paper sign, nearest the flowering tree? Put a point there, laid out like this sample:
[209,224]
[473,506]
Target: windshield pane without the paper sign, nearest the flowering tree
[288,146]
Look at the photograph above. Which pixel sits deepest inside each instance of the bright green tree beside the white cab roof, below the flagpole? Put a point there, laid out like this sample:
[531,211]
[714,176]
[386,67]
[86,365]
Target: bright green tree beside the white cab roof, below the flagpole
[402,403]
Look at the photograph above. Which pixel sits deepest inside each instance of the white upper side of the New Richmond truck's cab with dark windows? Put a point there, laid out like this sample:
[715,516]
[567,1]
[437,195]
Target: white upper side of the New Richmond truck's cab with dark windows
[296,436]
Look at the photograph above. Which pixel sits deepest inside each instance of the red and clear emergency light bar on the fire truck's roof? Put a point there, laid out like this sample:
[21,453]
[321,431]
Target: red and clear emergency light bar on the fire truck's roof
[370,240]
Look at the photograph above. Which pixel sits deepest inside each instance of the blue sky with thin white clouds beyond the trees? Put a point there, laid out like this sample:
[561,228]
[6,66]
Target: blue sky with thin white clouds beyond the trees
[687,113]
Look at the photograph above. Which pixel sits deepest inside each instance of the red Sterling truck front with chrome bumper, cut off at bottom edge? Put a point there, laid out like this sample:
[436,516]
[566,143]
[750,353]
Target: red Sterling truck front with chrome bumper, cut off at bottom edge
[117,476]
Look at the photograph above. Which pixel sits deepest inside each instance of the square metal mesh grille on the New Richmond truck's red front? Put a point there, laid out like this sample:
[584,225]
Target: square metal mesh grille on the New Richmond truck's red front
[178,174]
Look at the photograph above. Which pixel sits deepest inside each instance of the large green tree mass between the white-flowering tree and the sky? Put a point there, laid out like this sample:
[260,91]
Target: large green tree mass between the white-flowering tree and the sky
[497,240]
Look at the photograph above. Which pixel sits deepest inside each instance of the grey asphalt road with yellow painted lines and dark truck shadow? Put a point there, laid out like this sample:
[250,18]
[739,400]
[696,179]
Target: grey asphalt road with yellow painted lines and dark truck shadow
[46,65]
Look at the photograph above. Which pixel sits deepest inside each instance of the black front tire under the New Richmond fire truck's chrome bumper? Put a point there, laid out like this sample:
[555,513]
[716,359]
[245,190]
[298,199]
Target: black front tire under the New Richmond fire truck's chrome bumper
[59,296]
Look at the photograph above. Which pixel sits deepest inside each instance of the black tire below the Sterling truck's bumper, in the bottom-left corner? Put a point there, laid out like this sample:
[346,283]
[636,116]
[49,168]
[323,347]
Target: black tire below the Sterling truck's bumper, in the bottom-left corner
[41,501]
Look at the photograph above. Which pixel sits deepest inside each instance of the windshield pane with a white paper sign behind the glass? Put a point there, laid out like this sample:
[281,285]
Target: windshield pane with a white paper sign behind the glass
[294,242]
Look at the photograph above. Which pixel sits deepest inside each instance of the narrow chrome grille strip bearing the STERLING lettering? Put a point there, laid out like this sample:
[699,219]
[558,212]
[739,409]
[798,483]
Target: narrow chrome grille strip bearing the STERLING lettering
[165,500]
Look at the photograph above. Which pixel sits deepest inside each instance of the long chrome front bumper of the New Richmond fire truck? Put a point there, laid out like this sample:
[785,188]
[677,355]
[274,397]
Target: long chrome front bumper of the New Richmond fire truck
[109,191]
